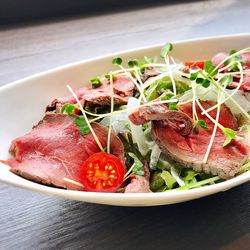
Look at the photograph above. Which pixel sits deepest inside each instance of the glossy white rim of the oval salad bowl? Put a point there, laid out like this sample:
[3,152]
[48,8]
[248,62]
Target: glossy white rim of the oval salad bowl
[180,194]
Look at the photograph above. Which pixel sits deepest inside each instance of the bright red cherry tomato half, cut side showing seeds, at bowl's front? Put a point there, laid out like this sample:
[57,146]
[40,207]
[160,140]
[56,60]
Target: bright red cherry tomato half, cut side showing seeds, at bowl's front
[102,172]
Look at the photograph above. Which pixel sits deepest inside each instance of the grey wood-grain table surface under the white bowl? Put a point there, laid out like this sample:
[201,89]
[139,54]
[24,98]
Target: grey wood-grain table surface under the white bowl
[34,221]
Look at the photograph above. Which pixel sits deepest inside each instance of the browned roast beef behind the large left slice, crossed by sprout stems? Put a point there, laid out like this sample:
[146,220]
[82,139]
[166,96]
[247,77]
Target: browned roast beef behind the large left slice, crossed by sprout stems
[123,88]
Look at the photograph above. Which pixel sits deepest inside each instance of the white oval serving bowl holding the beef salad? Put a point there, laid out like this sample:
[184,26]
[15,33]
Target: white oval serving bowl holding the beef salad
[22,104]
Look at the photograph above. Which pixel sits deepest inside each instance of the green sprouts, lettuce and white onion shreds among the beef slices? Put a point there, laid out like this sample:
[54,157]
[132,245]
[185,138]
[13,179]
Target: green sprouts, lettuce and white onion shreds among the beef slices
[171,86]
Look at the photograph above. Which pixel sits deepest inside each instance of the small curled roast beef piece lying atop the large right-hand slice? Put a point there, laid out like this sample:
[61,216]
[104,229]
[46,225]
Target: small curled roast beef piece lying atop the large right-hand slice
[177,120]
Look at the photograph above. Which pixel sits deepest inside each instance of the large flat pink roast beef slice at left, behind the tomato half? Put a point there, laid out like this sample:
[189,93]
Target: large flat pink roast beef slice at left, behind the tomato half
[55,150]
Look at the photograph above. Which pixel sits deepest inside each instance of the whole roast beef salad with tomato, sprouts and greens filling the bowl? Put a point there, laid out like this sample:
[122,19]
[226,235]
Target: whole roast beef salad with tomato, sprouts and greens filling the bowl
[152,125]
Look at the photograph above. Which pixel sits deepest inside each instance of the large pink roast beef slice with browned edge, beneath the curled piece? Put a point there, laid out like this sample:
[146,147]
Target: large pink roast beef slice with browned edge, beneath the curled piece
[190,150]
